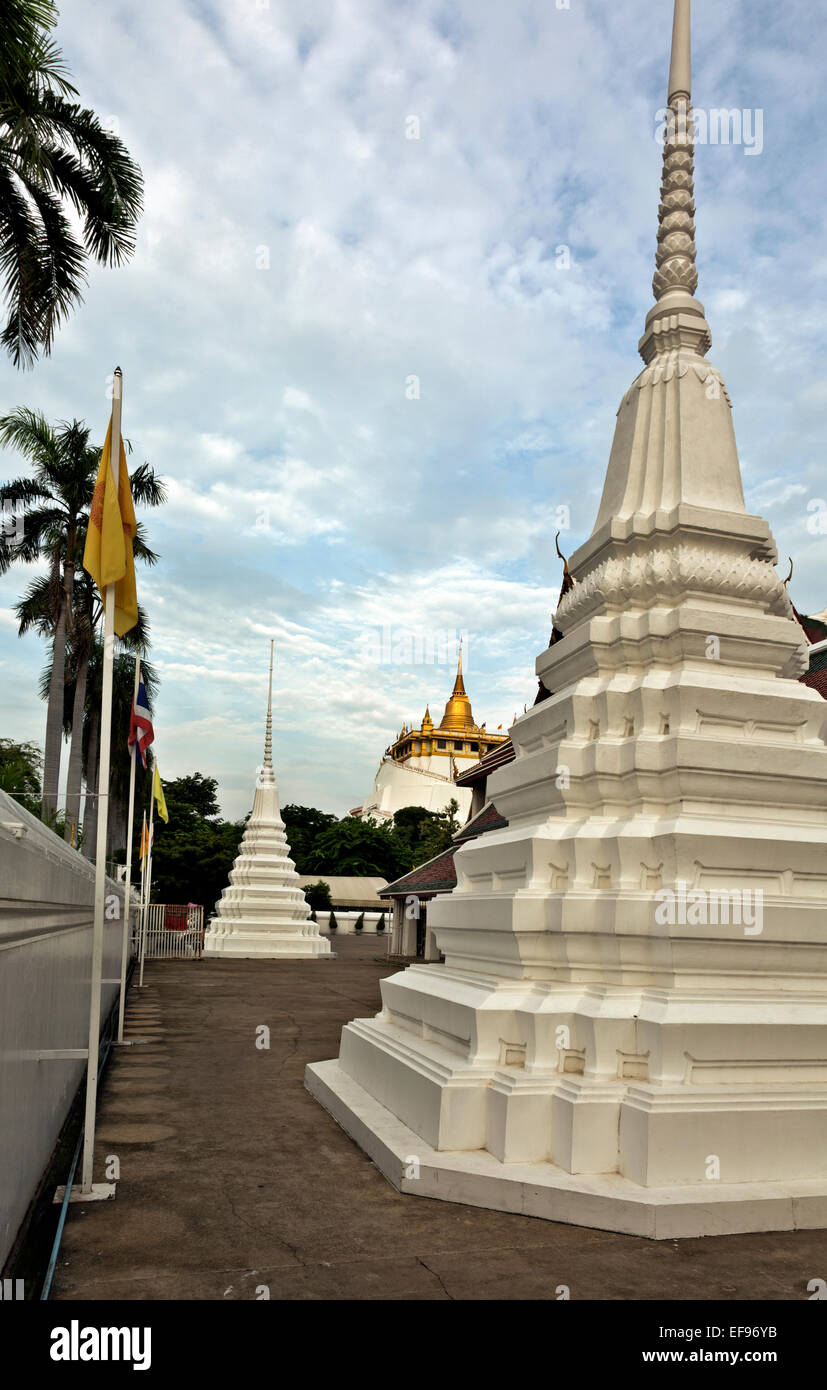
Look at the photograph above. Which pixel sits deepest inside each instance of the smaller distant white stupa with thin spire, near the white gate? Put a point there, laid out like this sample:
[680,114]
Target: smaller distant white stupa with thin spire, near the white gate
[263,913]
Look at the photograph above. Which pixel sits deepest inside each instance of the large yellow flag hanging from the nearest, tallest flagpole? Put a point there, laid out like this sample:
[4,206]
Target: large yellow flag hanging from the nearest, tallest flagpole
[108,555]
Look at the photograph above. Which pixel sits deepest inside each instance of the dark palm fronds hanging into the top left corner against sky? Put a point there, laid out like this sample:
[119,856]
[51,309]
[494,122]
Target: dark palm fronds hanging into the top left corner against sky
[56,163]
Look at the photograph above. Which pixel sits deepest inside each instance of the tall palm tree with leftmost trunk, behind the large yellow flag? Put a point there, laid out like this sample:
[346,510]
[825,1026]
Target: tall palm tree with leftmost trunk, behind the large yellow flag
[56,509]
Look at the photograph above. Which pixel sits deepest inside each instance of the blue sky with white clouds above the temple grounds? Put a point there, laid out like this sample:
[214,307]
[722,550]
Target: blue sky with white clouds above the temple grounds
[388,288]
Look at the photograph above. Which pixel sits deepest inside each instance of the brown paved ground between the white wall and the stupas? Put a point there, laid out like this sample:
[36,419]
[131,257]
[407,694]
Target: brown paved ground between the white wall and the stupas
[234,1178]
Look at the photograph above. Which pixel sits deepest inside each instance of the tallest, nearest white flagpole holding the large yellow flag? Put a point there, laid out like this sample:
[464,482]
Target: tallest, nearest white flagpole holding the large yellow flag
[104,804]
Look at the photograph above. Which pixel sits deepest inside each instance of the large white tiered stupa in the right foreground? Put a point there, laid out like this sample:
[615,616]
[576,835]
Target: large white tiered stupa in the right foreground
[630,1027]
